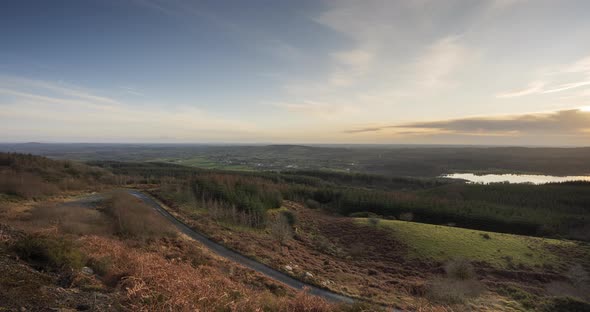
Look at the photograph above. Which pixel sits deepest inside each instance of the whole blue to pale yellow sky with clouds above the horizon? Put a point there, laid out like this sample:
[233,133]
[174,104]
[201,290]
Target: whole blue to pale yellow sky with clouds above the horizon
[501,72]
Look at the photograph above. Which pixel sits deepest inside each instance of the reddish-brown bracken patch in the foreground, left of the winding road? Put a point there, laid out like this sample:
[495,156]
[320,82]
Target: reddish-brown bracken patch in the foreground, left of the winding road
[151,283]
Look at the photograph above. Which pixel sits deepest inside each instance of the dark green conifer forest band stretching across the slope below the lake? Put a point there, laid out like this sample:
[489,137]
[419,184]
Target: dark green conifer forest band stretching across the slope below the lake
[551,210]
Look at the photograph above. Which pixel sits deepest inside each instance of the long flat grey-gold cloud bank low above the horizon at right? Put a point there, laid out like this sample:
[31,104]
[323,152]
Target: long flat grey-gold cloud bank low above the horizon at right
[574,122]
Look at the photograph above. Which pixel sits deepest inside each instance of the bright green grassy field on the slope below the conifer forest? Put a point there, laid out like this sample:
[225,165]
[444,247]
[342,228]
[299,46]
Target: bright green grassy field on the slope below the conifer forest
[441,243]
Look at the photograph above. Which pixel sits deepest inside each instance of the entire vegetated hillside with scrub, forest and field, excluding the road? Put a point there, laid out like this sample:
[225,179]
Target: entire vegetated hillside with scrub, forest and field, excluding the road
[408,242]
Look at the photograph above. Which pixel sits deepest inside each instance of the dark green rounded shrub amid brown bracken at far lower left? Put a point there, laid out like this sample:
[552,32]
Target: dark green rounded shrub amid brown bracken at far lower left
[49,253]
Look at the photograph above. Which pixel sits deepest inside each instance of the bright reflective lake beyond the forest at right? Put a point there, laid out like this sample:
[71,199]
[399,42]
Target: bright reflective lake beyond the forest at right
[514,178]
